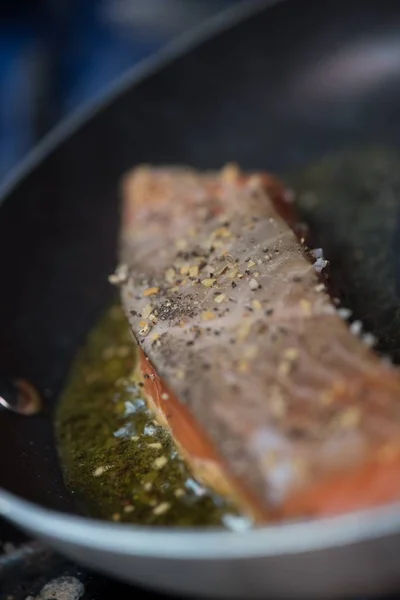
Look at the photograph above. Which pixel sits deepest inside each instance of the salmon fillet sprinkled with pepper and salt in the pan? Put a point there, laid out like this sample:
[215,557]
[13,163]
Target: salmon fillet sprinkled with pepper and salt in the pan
[266,391]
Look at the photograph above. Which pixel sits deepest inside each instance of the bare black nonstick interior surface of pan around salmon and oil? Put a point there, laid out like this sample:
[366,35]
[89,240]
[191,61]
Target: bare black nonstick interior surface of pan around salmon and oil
[277,90]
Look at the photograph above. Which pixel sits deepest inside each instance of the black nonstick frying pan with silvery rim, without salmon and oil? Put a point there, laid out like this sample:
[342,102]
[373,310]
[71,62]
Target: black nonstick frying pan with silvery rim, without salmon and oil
[269,85]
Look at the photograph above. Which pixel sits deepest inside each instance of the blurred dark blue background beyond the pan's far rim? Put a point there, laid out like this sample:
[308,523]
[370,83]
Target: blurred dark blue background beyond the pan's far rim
[58,54]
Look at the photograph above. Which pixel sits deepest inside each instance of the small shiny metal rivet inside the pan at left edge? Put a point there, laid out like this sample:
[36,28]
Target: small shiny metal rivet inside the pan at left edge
[19,396]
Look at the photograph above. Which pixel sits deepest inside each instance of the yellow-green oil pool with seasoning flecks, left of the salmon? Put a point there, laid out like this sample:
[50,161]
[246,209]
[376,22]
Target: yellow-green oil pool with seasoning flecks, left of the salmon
[120,464]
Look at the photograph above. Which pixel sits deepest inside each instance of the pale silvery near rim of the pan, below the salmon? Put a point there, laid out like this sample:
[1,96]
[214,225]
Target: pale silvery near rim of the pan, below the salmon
[197,544]
